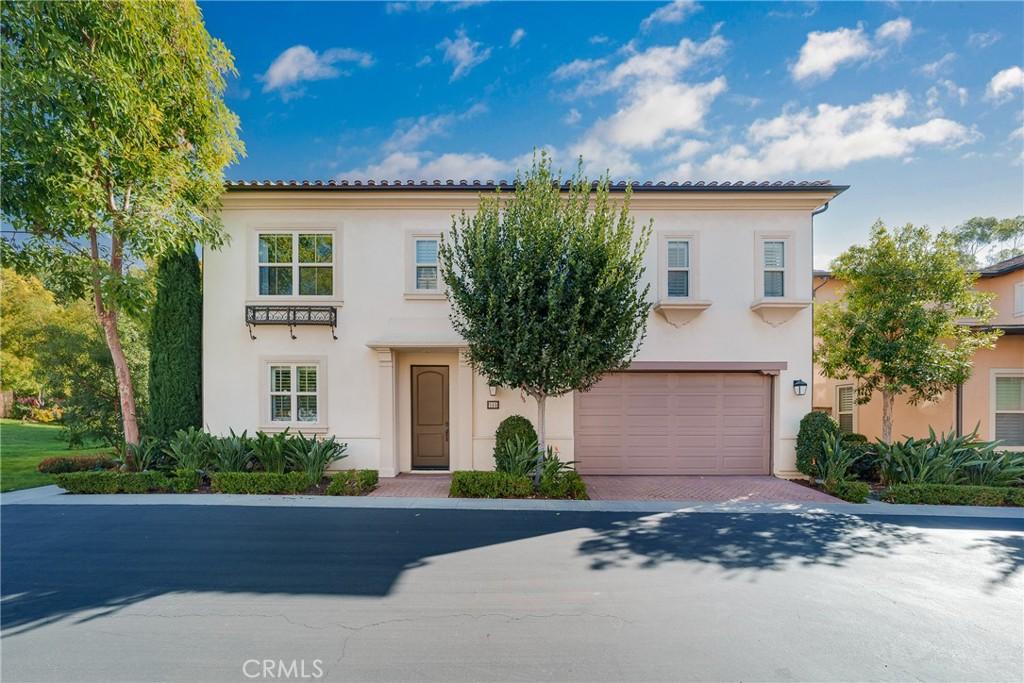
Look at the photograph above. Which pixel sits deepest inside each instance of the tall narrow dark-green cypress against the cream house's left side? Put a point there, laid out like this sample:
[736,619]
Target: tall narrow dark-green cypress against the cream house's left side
[177,347]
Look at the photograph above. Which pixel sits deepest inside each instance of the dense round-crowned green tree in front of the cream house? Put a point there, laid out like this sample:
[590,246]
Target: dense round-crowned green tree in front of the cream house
[545,285]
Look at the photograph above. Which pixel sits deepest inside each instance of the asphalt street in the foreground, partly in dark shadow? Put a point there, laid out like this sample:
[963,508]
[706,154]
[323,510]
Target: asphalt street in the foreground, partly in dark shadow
[182,593]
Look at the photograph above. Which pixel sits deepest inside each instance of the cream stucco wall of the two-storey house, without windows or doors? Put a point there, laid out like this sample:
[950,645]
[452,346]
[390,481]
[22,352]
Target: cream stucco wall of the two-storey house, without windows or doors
[367,385]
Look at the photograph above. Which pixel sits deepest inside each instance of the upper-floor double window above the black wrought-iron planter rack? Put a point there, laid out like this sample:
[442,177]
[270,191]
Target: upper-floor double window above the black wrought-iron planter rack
[296,264]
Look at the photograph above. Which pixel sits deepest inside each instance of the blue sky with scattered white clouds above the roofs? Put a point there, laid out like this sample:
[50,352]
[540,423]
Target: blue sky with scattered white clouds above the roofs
[919,107]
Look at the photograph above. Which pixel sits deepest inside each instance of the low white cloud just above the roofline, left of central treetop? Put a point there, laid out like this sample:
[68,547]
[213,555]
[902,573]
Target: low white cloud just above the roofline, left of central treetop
[420,166]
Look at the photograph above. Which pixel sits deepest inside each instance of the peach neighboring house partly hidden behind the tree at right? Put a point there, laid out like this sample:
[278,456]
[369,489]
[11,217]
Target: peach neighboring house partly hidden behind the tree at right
[992,400]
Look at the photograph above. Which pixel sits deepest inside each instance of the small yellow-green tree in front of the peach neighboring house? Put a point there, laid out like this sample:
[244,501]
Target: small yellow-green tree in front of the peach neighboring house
[908,322]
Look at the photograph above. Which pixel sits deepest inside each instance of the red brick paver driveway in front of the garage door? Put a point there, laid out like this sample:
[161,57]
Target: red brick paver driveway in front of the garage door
[712,489]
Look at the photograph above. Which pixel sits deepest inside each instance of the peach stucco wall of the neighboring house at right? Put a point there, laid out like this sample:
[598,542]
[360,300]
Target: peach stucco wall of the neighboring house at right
[940,414]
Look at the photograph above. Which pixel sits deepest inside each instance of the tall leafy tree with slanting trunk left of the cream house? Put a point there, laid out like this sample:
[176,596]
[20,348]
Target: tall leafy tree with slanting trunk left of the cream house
[116,136]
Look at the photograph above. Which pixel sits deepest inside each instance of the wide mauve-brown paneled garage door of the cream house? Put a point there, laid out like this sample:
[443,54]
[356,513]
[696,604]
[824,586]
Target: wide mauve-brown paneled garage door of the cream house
[675,423]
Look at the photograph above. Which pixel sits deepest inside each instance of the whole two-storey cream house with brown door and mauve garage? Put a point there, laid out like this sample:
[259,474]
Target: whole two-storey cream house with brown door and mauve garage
[371,357]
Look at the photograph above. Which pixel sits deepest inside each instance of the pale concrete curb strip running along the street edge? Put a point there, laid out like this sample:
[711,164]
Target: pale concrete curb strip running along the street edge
[53,495]
